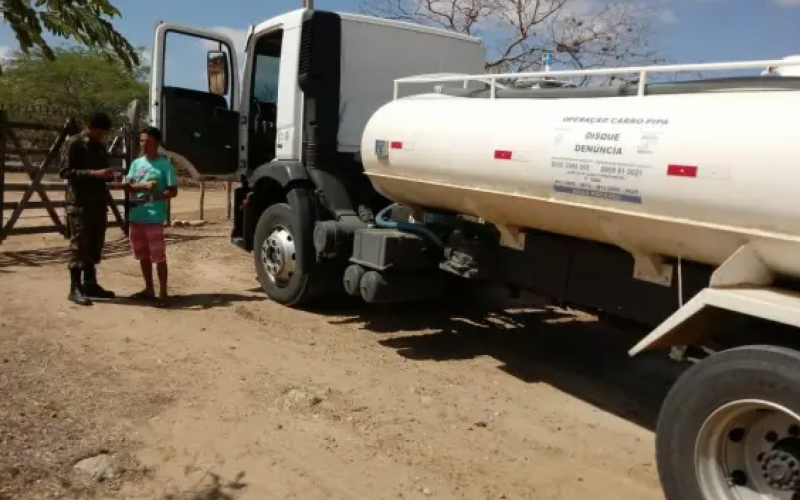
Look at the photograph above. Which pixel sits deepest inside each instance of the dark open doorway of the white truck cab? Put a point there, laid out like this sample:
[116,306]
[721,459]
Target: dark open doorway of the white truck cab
[264,101]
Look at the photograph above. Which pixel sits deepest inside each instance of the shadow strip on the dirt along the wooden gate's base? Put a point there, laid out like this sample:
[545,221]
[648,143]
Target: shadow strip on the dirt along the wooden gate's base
[114,248]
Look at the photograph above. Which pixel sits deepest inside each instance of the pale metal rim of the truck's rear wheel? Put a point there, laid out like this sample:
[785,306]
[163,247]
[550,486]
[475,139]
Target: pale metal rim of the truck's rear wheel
[749,450]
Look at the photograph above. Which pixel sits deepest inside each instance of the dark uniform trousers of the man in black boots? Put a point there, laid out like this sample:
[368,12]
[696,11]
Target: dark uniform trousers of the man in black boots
[87,236]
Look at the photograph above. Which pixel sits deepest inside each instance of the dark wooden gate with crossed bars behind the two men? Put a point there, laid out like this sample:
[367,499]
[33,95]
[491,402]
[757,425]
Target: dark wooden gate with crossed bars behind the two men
[25,168]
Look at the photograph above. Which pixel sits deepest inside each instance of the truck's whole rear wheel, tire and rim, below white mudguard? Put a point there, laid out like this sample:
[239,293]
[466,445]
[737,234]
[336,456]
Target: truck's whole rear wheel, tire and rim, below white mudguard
[730,428]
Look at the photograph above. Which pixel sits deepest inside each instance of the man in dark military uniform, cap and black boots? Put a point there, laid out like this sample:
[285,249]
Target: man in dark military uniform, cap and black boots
[85,166]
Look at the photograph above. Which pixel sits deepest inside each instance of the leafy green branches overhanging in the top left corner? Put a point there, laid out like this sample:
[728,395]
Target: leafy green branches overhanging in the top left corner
[84,21]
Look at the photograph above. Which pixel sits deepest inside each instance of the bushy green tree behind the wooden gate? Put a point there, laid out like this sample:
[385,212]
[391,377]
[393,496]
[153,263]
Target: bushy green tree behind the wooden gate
[76,83]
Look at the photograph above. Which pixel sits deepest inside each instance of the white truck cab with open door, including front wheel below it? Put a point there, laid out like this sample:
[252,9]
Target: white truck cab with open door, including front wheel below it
[289,130]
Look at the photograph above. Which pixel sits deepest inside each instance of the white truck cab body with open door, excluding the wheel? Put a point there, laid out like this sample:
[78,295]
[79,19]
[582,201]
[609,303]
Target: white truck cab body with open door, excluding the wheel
[310,78]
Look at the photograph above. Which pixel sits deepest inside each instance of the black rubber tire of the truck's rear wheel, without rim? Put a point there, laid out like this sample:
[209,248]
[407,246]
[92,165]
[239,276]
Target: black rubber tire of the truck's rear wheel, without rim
[762,372]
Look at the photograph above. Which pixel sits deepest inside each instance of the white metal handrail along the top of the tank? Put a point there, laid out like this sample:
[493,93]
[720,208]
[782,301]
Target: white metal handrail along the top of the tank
[642,70]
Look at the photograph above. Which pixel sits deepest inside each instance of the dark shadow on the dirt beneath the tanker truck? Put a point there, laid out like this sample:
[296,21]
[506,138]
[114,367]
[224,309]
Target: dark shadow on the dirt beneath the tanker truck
[584,358]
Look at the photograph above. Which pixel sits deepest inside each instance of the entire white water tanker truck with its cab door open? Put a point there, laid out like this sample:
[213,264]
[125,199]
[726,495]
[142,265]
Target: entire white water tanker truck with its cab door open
[373,158]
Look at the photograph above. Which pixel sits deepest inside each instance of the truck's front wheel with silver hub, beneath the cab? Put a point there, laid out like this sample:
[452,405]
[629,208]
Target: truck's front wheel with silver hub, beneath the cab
[283,250]
